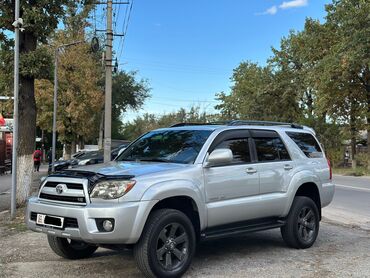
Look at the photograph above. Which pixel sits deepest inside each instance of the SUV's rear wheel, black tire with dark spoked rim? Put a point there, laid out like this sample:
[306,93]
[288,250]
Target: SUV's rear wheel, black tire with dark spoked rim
[302,226]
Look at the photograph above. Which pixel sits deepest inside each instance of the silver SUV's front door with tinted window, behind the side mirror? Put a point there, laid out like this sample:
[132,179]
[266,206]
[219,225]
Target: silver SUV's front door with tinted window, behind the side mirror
[228,187]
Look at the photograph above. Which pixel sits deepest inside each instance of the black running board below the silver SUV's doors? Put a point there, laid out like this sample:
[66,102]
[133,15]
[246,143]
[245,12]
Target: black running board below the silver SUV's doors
[240,228]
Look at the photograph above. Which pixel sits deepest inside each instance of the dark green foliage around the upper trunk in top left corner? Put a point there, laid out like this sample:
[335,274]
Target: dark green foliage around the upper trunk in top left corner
[40,19]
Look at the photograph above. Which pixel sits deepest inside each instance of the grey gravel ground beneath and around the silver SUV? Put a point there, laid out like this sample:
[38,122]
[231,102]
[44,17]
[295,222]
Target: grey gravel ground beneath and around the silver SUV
[338,252]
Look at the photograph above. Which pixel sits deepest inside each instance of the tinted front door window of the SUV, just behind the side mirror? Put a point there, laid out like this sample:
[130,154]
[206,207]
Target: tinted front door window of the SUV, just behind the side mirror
[240,149]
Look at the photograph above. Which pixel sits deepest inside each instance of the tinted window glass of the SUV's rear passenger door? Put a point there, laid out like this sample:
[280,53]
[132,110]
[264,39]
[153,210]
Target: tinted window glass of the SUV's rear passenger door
[271,149]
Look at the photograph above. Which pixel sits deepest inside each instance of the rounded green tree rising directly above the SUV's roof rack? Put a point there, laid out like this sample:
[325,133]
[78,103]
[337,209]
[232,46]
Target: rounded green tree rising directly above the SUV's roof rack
[255,96]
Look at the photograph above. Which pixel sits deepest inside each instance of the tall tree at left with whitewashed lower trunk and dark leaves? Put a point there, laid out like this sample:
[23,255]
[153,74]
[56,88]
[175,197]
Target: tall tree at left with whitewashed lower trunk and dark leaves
[40,19]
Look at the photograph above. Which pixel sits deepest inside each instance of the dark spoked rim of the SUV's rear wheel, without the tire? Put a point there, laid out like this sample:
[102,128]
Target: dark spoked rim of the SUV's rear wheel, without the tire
[306,224]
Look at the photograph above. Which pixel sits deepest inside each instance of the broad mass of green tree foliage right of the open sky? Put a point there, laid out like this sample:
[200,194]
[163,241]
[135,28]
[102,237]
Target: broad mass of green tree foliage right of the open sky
[319,77]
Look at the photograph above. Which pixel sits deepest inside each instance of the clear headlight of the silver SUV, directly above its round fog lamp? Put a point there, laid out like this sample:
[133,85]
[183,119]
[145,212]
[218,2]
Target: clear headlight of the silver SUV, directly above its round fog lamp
[111,189]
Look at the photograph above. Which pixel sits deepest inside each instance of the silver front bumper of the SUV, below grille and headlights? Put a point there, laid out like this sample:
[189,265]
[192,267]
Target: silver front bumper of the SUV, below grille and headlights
[129,219]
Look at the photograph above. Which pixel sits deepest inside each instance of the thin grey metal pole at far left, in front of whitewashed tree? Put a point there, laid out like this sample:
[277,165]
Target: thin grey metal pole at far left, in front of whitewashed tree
[17,24]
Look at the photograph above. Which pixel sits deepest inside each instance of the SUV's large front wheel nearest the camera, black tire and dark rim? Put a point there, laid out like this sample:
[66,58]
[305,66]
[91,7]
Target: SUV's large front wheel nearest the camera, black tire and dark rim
[157,253]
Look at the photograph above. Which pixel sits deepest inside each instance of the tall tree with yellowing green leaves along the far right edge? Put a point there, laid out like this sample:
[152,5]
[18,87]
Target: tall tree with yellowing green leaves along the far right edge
[348,62]
